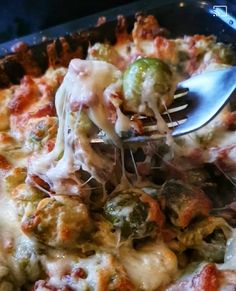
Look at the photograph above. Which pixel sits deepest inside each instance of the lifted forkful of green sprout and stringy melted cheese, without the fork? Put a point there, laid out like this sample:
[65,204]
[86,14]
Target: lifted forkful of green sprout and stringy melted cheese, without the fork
[92,98]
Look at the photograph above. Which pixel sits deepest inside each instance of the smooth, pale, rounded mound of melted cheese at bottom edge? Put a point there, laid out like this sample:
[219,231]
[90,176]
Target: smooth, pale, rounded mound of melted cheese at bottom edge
[151,267]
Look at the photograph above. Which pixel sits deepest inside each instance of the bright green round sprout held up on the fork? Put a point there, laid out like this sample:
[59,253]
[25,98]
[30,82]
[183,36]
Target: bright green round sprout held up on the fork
[145,79]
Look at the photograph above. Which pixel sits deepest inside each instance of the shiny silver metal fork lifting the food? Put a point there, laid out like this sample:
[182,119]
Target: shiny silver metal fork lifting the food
[196,102]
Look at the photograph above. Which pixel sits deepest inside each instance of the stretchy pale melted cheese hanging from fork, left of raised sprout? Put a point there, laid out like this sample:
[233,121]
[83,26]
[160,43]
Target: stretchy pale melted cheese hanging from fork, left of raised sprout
[87,86]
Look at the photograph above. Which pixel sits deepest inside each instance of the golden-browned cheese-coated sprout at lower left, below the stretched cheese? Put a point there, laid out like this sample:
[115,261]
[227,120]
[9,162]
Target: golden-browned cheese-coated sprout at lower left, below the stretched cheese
[63,222]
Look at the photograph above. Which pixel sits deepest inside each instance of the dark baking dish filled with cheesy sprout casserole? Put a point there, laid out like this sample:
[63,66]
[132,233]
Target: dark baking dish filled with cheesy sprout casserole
[79,216]
